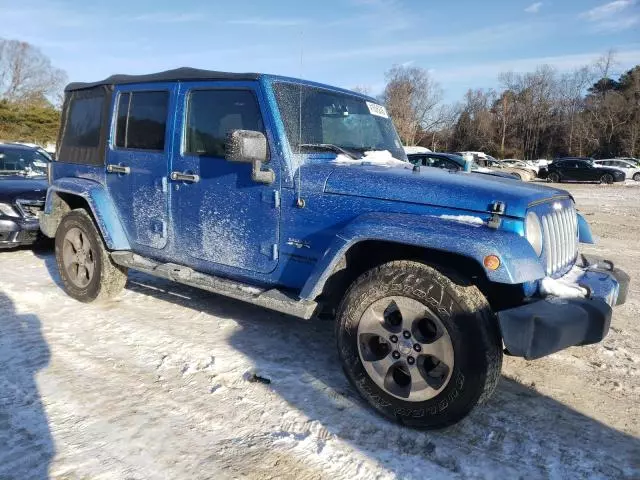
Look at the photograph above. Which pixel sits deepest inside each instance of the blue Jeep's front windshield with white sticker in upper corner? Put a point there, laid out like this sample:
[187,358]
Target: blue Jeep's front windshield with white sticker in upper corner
[333,121]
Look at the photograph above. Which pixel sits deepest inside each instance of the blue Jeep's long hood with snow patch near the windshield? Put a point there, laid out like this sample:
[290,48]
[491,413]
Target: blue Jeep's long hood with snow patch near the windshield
[437,187]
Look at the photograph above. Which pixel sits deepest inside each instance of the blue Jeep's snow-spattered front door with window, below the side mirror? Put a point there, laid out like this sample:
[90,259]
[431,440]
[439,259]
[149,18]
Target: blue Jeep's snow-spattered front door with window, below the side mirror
[220,215]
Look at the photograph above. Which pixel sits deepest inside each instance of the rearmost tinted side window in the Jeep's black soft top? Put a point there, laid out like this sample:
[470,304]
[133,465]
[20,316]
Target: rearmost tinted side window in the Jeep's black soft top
[82,128]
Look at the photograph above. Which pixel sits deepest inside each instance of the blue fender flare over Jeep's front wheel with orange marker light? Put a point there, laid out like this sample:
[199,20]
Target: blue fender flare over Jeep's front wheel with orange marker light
[518,261]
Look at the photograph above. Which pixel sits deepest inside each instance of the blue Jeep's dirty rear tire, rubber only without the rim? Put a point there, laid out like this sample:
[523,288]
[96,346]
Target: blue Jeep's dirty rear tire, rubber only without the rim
[108,278]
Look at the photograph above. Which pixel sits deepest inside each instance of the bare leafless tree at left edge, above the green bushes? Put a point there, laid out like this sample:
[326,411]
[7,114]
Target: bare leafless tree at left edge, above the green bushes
[26,74]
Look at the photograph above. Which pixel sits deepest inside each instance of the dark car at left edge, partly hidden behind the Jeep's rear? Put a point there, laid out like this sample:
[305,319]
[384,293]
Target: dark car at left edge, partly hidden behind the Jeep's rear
[23,188]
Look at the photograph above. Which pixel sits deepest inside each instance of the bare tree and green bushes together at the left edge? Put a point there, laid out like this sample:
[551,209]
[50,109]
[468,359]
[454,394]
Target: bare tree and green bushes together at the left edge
[30,93]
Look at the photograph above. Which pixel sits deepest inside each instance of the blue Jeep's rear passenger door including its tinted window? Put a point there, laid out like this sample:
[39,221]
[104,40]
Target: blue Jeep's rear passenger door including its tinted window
[137,161]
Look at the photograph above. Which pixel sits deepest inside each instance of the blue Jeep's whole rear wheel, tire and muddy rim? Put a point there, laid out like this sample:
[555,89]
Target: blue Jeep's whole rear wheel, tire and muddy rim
[86,269]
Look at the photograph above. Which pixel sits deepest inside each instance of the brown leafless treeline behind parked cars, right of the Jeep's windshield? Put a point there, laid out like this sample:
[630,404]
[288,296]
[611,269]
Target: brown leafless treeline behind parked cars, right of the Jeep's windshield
[541,114]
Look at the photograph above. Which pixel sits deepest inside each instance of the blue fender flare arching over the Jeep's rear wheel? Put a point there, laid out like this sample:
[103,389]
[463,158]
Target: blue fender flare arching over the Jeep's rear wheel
[100,203]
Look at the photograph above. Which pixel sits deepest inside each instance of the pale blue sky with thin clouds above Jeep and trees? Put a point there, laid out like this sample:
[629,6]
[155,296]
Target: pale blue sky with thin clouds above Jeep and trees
[463,43]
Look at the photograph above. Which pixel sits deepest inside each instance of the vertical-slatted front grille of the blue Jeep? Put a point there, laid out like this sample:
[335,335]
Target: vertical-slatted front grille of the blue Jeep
[560,246]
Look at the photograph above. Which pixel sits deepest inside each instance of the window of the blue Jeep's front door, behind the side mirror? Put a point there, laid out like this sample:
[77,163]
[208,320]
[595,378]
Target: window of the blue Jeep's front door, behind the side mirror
[213,113]
